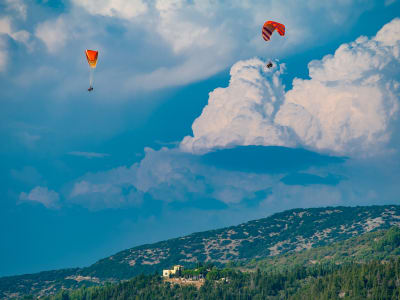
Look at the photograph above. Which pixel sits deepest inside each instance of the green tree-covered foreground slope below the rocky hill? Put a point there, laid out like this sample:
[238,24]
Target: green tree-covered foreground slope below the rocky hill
[358,275]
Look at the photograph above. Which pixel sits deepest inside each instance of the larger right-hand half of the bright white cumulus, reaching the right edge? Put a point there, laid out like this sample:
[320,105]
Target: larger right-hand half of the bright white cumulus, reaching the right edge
[351,99]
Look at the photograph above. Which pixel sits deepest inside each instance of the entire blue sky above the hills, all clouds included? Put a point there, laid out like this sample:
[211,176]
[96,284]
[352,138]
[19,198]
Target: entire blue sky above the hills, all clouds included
[186,129]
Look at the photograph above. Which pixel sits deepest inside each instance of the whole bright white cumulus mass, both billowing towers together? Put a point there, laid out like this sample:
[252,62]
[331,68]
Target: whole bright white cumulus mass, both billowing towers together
[347,107]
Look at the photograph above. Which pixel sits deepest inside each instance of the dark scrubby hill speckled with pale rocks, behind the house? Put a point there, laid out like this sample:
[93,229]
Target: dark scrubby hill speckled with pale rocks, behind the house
[289,231]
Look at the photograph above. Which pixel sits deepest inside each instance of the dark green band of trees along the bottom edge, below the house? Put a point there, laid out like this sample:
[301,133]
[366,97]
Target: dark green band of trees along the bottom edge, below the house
[373,280]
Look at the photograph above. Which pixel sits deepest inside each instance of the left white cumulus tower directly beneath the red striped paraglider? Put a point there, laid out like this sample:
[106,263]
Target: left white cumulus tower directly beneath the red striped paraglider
[242,113]
